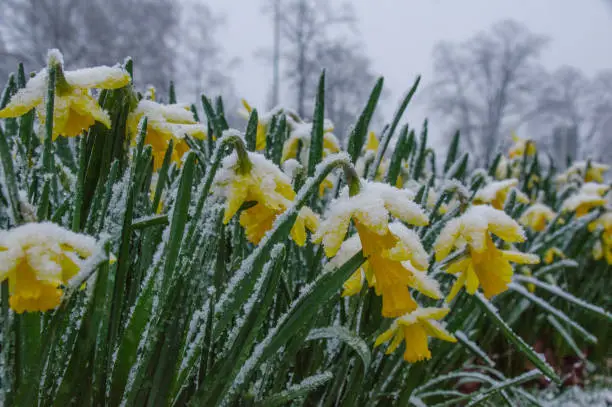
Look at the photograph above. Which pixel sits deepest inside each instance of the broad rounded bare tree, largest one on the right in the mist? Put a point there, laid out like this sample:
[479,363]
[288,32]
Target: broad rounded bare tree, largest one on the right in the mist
[485,85]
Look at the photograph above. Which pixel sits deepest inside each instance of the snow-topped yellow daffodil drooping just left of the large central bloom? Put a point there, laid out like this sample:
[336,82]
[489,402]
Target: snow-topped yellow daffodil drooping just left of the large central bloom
[261,182]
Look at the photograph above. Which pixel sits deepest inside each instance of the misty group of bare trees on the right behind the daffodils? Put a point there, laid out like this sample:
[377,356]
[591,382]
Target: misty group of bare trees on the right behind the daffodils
[494,83]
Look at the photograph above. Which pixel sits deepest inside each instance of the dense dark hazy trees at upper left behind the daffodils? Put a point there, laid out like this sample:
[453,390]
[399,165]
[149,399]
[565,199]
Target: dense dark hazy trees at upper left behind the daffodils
[167,39]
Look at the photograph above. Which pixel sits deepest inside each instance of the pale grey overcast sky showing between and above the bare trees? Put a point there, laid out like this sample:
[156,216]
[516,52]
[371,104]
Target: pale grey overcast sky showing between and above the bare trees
[399,36]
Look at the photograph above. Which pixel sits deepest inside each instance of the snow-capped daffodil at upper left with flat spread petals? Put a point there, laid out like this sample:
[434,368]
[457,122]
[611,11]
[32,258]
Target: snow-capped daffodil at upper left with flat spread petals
[74,109]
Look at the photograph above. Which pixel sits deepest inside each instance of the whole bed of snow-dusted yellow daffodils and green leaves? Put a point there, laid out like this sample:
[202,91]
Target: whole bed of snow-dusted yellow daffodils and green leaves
[160,298]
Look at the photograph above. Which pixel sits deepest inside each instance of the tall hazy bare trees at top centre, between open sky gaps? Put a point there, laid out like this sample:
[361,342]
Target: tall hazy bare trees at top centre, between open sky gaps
[311,35]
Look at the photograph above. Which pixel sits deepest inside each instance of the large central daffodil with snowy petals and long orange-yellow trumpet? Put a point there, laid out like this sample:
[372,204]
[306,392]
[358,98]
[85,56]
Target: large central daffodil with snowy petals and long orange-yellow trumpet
[395,255]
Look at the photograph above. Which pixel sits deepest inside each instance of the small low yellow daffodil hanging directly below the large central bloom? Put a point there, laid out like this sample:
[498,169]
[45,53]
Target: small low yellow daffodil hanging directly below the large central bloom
[414,328]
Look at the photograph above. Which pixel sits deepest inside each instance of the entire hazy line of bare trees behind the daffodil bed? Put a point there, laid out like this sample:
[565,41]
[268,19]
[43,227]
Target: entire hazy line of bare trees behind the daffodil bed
[486,87]
